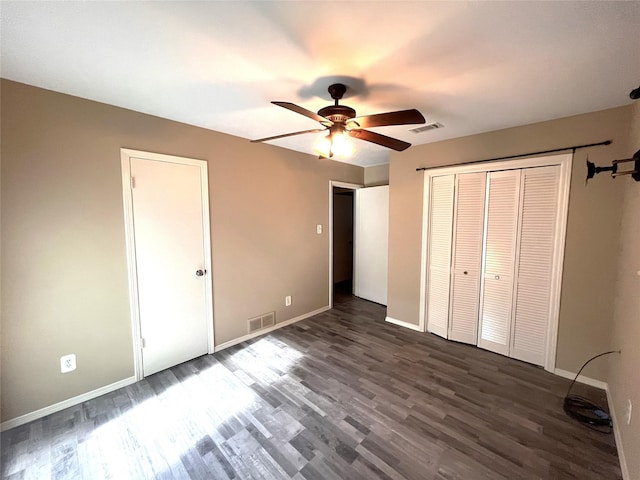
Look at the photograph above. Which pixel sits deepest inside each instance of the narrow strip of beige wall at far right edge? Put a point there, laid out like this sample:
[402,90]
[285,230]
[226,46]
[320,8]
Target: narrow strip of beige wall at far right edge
[624,373]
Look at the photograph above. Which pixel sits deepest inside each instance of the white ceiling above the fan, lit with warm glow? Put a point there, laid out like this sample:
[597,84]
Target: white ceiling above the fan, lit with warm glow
[472,66]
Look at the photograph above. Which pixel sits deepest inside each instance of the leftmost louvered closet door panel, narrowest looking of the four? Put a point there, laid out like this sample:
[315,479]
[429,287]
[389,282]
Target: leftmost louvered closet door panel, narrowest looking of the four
[439,247]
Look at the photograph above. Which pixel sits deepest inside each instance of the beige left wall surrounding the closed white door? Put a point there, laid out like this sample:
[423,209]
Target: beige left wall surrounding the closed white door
[64,272]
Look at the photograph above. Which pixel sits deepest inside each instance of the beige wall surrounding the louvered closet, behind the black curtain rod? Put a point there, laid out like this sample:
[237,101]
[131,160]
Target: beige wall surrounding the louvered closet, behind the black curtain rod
[592,232]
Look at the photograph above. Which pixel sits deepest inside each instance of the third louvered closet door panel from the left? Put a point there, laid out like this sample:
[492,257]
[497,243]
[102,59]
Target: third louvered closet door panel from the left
[499,261]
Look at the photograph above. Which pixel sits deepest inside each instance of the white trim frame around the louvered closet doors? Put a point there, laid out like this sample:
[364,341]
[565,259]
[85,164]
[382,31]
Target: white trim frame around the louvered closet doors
[565,162]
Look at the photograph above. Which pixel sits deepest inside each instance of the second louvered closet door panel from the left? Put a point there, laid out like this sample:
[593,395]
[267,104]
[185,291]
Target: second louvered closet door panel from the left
[467,256]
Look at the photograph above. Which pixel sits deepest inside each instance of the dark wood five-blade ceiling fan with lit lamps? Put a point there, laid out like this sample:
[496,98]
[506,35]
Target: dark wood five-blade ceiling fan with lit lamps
[341,121]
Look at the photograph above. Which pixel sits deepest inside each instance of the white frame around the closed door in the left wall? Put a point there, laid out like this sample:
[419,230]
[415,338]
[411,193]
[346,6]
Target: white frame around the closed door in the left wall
[125,156]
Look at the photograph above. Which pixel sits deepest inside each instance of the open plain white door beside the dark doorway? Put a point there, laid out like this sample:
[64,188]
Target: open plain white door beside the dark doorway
[371,243]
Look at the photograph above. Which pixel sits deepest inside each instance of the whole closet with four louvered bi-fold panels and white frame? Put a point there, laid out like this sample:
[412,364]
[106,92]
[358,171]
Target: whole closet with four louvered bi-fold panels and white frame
[493,240]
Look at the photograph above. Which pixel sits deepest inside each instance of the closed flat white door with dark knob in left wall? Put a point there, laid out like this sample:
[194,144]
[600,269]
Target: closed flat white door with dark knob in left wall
[170,243]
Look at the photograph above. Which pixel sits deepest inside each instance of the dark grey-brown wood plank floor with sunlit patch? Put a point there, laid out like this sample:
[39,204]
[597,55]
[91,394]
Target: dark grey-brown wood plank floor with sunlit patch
[342,395]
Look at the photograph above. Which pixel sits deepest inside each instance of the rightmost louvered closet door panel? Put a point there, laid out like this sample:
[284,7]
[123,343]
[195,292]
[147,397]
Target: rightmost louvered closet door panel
[531,309]
